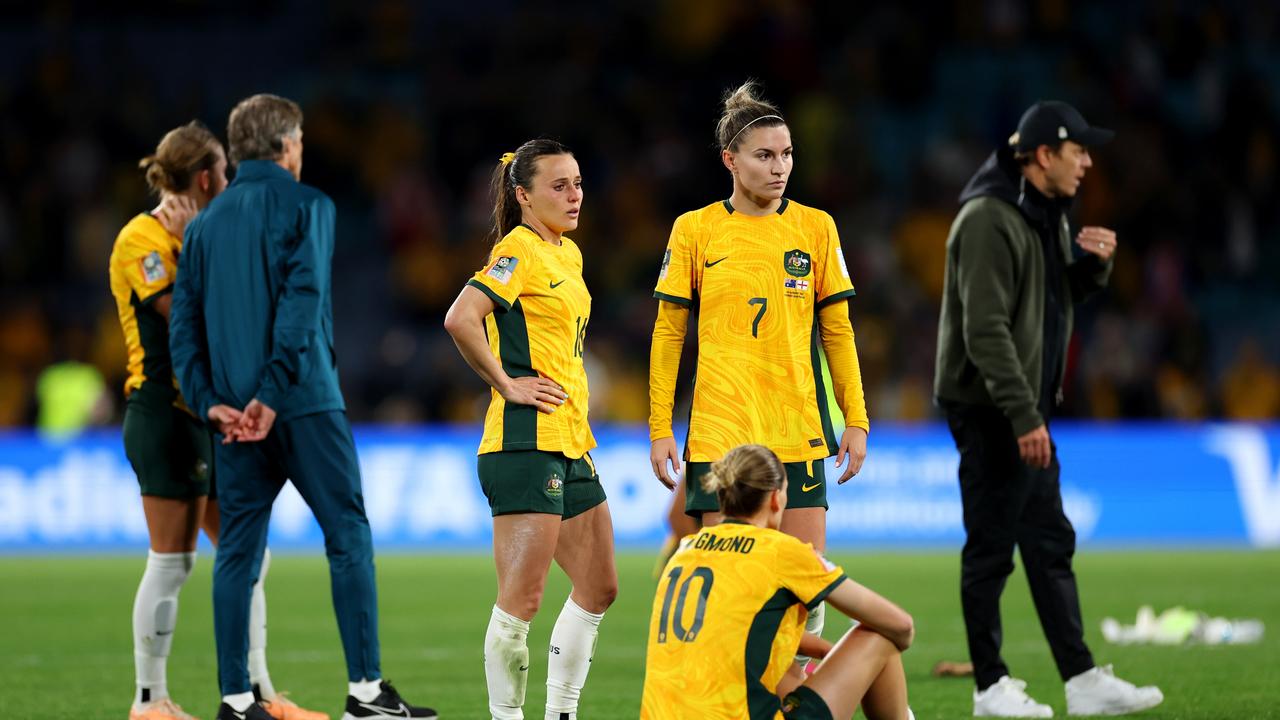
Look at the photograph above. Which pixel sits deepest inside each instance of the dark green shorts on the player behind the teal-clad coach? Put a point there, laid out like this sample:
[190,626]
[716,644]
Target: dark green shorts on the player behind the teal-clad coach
[172,454]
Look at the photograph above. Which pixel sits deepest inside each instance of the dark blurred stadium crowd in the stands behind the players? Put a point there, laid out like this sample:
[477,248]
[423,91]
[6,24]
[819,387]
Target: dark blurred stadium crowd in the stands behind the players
[405,122]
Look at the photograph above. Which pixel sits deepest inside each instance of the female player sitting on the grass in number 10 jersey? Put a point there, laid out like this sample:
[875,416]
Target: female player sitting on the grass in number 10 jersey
[729,617]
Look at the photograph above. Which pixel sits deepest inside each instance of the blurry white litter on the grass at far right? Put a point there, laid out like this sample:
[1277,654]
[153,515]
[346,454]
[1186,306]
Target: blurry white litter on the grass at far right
[1180,626]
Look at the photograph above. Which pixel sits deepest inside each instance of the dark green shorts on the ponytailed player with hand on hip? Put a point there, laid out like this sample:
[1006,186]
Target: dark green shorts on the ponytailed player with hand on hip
[534,481]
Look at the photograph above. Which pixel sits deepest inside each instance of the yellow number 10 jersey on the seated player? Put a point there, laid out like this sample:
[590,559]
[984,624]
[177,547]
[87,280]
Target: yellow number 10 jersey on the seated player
[728,621]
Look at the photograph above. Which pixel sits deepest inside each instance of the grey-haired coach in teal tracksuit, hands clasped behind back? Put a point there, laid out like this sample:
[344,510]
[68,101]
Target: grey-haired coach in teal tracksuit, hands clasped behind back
[253,329]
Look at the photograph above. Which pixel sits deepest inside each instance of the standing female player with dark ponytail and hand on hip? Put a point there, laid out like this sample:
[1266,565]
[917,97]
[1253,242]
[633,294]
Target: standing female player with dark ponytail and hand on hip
[522,323]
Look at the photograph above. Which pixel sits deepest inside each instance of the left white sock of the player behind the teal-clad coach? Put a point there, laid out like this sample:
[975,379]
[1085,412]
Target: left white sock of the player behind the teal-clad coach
[156,616]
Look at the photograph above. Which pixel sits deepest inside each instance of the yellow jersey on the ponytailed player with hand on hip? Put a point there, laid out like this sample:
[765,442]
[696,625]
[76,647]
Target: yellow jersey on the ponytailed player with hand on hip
[538,329]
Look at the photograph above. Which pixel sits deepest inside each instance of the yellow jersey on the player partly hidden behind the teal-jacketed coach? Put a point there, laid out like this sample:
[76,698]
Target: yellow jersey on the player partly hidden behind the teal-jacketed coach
[143,268]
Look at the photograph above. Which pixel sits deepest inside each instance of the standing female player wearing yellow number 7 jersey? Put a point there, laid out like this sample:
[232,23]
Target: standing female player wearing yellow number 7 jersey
[769,281]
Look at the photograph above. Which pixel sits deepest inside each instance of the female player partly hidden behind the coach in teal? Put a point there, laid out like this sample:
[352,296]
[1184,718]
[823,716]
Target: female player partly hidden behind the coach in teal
[170,449]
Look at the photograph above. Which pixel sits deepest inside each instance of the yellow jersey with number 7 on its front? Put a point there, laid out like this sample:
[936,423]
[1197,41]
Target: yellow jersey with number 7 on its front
[757,285]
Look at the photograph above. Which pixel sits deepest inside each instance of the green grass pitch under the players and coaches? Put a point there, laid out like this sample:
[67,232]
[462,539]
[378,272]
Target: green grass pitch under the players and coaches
[67,650]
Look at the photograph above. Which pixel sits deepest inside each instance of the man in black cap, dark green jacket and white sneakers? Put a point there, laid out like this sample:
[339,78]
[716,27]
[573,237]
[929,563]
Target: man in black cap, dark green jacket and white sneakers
[1012,279]
